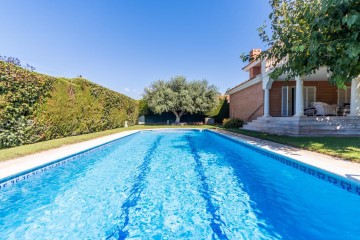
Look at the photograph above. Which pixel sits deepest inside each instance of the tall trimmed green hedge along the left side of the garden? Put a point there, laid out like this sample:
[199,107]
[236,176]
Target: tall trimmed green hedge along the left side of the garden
[36,107]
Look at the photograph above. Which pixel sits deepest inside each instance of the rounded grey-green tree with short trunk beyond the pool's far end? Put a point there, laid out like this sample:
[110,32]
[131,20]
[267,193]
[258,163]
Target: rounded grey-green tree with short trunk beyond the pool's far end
[180,97]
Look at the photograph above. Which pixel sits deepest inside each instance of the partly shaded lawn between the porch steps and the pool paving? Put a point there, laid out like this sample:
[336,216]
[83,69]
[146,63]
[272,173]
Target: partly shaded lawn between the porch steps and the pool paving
[343,147]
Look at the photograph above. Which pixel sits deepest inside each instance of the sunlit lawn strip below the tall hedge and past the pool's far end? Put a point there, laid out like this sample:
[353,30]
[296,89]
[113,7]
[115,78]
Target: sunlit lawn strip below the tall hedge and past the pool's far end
[10,153]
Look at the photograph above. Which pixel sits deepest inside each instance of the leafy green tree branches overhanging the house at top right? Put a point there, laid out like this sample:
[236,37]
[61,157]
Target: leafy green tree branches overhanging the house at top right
[310,34]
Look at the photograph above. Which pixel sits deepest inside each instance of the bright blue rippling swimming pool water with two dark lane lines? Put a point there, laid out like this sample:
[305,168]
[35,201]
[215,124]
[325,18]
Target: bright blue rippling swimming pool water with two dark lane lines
[177,185]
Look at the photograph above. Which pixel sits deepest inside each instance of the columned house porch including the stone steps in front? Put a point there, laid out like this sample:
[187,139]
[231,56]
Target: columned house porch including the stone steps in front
[290,107]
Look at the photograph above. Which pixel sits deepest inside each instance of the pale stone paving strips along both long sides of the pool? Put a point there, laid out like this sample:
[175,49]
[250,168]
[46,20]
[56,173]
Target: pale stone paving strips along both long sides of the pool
[346,169]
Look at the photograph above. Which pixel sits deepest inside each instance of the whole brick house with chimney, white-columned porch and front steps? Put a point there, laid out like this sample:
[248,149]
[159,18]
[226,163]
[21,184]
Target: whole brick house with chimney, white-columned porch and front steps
[292,107]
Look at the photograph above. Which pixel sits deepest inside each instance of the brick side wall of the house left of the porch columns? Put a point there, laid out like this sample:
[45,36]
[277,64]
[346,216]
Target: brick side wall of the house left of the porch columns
[244,103]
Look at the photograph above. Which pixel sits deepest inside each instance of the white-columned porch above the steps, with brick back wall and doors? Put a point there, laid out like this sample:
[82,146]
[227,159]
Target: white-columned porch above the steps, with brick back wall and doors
[298,95]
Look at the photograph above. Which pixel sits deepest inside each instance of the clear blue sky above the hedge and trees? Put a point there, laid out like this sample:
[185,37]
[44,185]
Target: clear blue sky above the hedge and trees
[127,44]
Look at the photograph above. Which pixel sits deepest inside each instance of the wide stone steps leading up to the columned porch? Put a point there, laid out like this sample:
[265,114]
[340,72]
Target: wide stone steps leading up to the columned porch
[307,126]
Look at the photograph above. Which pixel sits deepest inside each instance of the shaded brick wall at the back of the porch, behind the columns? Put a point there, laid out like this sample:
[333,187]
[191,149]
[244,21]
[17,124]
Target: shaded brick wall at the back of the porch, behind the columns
[325,92]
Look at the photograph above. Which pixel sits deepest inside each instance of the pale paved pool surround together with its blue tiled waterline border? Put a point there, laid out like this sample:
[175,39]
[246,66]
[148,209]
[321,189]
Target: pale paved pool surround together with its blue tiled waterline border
[18,169]
